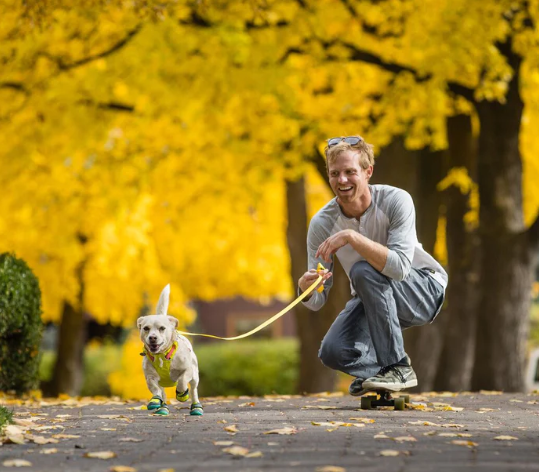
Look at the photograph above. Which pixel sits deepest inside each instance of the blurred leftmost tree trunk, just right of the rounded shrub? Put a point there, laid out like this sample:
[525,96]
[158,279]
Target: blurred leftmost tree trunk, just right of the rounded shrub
[68,372]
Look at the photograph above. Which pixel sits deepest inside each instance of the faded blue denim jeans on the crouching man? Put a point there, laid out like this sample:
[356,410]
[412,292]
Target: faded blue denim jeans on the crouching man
[367,334]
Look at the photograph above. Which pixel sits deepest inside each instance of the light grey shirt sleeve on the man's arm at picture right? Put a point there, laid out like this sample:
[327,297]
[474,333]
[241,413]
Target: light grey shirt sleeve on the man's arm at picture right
[402,237]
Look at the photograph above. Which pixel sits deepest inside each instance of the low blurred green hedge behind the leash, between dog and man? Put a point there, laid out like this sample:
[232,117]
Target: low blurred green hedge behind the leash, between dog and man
[248,367]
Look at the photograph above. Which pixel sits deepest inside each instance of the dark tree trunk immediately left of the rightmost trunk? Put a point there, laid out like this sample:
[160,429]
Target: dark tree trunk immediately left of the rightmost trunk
[459,319]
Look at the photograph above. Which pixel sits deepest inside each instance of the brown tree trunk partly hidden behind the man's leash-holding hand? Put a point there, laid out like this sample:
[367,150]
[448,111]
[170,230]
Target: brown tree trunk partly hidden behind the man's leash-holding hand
[311,325]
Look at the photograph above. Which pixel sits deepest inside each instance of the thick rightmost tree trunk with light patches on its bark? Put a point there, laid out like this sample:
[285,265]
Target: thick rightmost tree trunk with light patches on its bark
[506,259]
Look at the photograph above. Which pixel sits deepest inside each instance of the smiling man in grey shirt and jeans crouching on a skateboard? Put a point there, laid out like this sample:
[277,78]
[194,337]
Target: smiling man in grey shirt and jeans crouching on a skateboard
[395,284]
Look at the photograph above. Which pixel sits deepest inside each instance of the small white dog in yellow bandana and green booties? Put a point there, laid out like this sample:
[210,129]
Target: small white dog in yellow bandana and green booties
[169,359]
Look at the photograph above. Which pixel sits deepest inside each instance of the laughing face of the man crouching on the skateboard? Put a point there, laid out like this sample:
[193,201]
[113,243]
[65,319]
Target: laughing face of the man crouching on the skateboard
[348,180]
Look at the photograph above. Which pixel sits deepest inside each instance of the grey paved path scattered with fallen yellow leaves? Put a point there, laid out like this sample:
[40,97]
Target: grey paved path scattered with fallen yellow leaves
[423,437]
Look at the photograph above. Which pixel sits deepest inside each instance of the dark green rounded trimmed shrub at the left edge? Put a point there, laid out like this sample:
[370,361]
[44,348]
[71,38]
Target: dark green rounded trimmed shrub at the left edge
[20,325]
